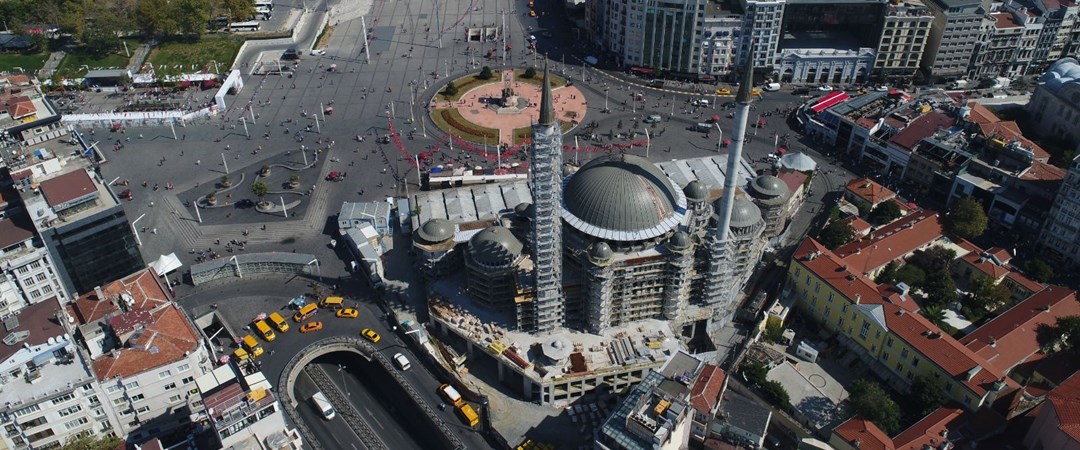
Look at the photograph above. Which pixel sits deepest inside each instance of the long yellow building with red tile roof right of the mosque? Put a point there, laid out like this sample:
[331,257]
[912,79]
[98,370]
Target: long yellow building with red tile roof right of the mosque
[882,326]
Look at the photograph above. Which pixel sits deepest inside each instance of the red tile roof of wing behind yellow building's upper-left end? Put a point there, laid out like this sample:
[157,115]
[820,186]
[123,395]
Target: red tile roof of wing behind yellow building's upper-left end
[892,242]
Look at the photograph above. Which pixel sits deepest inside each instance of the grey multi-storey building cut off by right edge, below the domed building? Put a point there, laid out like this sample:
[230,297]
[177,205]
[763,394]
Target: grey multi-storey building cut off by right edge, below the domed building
[1060,237]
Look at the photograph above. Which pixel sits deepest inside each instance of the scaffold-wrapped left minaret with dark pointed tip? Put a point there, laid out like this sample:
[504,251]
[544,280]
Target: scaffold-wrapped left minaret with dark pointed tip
[546,184]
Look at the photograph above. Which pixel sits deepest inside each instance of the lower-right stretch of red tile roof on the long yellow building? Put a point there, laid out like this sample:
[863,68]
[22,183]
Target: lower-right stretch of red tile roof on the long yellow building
[944,351]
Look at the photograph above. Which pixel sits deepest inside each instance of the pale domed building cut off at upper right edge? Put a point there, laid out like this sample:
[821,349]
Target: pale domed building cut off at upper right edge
[1056,105]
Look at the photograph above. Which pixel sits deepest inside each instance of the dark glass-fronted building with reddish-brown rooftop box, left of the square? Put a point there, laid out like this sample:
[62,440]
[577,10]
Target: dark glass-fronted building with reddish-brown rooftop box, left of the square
[83,225]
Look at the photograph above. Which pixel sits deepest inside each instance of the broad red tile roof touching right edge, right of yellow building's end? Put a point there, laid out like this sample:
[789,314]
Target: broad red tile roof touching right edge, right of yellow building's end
[1011,338]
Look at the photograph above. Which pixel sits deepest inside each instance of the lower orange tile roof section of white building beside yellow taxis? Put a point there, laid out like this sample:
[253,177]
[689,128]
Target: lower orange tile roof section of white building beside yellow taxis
[167,340]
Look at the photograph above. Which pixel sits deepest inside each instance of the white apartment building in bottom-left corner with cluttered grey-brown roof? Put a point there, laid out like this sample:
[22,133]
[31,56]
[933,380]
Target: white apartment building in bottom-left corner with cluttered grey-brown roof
[48,391]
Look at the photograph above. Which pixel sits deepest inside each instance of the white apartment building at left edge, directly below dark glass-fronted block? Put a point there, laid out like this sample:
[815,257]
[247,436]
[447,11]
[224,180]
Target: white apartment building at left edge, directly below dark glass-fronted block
[28,275]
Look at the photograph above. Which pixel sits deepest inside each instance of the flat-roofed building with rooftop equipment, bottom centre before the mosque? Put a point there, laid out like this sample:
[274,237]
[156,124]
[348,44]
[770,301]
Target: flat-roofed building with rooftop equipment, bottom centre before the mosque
[656,415]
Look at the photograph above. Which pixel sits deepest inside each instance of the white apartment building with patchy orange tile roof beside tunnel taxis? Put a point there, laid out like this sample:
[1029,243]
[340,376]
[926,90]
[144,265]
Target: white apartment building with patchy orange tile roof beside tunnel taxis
[144,351]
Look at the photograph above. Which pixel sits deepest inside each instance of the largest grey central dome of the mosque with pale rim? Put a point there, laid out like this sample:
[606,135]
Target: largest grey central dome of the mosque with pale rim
[623,198]
